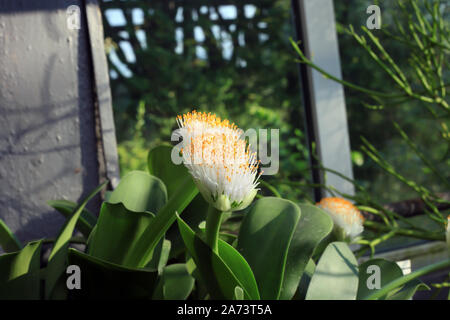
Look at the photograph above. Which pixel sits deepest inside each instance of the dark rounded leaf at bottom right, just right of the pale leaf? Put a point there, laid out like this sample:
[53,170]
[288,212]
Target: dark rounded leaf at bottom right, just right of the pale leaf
[389,271]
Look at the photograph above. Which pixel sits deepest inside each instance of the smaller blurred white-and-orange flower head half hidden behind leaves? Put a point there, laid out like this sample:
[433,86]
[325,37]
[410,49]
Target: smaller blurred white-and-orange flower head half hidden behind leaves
[348,221]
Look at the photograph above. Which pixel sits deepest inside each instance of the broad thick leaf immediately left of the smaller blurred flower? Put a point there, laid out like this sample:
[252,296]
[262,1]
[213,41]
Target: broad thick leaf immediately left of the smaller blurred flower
[313,227]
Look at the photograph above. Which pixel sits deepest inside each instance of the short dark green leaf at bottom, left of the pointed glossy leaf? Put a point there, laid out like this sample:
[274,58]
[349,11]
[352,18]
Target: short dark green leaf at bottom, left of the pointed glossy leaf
[175,284]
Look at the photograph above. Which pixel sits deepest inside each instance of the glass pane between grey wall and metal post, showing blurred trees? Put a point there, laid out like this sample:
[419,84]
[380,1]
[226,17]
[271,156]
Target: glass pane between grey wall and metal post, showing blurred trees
[168,58]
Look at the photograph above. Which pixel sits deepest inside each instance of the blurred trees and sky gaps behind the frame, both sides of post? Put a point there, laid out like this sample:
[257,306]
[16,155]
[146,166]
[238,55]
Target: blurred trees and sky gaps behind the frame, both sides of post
[234,58]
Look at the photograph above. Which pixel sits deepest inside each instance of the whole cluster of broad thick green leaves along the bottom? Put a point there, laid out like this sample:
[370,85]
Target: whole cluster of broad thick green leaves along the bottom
[276,254]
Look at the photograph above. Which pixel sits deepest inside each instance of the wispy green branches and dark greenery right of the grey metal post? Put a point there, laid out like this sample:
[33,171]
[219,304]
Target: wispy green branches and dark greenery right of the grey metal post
[399,115]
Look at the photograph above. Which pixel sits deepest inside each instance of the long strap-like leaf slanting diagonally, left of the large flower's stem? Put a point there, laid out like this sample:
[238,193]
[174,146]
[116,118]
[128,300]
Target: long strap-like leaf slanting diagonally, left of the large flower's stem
[141,253]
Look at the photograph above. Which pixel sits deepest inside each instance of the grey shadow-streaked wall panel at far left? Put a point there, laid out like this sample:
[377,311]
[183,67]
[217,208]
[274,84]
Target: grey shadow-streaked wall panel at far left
[48,143]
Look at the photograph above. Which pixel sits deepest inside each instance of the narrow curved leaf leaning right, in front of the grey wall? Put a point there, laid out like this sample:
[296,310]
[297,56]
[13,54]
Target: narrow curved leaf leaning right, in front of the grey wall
[58,256]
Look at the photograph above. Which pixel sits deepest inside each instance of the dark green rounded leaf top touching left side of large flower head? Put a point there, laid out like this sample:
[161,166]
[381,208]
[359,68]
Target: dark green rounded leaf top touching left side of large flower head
[161,165]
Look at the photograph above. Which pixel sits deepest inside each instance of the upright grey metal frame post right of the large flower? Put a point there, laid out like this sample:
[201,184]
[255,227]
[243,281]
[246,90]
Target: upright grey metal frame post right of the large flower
[324,101]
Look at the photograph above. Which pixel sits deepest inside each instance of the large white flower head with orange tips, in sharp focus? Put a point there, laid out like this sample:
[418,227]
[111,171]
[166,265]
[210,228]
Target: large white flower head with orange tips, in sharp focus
[219,160]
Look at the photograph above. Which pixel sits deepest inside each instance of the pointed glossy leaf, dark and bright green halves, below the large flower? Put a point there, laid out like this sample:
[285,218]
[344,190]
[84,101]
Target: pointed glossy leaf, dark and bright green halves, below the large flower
[221,273]
